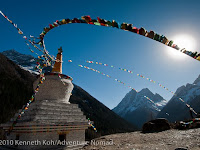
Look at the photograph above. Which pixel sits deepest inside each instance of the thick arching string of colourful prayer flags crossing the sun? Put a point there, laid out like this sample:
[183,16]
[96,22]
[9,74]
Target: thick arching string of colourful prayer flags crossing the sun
[124,26]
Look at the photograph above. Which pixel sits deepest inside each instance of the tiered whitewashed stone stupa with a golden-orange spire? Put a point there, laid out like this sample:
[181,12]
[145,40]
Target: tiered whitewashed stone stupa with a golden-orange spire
[51,121]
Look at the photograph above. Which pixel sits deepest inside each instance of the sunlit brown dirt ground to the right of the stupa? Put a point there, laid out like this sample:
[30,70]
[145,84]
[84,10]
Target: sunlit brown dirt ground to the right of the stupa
[166,140]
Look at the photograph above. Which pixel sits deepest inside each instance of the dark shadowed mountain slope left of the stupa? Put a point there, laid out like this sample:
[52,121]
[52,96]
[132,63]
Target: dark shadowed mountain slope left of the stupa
[15,87]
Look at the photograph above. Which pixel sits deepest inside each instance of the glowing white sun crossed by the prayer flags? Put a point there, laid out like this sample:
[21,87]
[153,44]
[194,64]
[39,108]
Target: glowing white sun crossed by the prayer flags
[183,41]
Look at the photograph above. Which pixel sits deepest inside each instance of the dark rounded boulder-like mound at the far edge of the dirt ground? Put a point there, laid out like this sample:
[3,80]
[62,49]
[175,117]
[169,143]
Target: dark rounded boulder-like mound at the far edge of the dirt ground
[156,125]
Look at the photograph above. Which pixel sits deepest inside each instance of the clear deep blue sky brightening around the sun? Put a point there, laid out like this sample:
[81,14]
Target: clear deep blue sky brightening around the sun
[176,19]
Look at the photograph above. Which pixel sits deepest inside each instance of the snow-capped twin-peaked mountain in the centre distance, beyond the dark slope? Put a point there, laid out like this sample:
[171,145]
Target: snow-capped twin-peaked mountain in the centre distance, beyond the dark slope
[136,109]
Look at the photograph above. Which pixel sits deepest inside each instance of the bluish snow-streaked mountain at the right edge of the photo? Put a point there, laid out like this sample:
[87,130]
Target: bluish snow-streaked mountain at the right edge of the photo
[176,109]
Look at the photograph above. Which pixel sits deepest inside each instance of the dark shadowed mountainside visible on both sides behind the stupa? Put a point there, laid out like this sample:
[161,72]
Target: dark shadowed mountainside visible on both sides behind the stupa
[16,89]
